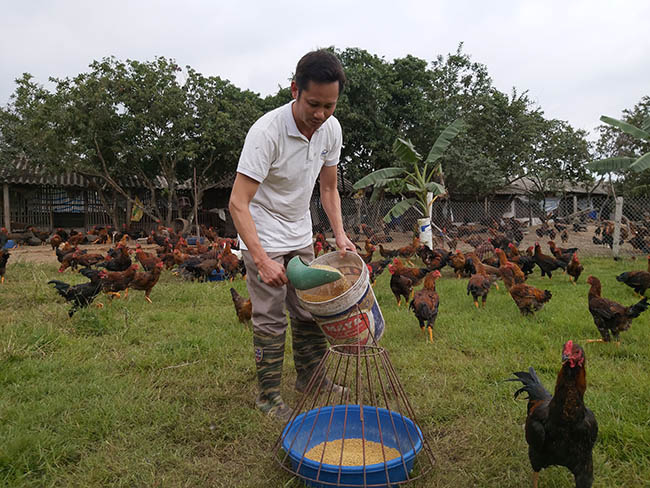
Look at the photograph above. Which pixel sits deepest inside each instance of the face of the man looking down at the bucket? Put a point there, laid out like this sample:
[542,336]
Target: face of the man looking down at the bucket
[314,105]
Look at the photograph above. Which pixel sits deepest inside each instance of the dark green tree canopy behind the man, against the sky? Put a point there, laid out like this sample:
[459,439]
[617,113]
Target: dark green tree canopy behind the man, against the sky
[159,122]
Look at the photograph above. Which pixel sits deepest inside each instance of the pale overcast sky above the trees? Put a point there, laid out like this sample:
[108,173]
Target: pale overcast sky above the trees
[577,59]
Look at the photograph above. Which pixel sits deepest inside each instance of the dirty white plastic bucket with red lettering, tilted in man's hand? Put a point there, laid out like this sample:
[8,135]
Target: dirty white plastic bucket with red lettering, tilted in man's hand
[354,316]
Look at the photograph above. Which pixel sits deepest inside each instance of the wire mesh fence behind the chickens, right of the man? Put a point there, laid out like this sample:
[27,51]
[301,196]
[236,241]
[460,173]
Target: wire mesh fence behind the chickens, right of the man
[585,222]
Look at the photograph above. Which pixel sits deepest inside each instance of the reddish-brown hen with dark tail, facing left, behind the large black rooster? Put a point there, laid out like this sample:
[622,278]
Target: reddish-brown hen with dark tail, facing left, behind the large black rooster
[611,318]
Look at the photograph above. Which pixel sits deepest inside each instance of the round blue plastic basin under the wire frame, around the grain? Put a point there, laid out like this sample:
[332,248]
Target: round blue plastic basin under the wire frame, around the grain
[311,428]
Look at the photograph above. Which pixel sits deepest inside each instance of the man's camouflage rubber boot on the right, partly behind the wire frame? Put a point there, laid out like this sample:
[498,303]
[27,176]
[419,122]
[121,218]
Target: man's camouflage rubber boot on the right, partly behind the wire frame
[309,347]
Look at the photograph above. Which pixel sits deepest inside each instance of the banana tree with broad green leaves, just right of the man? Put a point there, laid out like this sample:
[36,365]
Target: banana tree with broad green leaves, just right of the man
[415,177]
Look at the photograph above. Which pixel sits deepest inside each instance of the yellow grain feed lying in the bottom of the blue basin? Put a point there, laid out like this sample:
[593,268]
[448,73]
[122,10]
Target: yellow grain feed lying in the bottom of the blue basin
[353,452]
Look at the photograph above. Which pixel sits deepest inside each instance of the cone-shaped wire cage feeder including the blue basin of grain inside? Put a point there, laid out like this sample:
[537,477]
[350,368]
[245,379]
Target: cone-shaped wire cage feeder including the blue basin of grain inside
[354,425]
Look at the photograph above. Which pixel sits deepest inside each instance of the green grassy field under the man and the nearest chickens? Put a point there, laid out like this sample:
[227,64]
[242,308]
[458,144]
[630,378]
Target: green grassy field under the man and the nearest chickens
[162,395]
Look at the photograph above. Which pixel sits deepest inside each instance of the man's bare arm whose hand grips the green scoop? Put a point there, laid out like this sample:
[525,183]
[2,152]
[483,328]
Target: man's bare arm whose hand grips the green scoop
[243,191]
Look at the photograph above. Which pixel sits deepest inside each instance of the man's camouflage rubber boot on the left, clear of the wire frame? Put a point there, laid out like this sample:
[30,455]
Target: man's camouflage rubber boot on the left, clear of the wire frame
[269,357]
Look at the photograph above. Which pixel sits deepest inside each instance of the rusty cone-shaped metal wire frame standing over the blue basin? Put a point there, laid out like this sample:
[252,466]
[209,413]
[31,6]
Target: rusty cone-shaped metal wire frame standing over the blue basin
[369,379]
